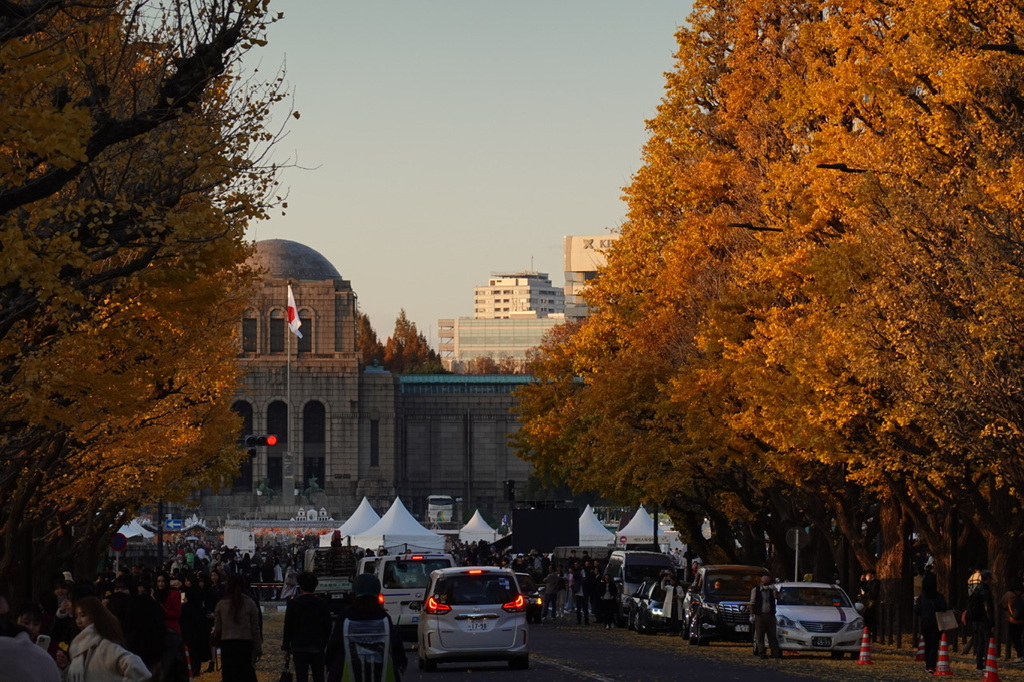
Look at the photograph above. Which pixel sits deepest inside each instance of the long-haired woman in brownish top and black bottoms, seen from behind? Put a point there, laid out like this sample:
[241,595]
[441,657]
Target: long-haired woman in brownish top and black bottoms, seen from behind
[237,632]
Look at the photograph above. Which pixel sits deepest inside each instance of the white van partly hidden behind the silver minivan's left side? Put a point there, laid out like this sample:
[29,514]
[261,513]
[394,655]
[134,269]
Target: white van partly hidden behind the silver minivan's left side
[404,579]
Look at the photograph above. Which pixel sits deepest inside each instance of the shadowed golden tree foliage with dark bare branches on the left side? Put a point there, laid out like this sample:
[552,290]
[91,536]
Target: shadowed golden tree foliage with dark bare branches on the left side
[134,159]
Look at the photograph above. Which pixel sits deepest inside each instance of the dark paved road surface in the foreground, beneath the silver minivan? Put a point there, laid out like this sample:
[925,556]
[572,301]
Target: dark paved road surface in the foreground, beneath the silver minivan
[560,654]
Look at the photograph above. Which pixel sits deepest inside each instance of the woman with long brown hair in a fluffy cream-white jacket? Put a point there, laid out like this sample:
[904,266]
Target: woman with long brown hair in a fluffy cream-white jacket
[98,654]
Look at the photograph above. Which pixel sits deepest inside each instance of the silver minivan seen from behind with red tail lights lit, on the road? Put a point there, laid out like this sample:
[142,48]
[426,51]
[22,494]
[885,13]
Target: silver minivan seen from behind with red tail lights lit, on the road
[474,614]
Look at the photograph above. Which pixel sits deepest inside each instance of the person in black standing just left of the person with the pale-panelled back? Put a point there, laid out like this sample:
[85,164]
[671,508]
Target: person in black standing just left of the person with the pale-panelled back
[308,627]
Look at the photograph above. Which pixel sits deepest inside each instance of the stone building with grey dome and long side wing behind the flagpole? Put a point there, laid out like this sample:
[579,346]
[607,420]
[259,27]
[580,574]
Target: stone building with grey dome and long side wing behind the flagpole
[347,432]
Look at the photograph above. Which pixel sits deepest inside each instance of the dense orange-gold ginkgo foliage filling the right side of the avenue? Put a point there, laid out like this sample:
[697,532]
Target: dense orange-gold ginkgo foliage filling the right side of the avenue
[819,288]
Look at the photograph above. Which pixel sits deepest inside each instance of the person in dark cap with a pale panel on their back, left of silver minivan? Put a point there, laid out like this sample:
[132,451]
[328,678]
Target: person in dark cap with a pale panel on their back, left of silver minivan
[366,627]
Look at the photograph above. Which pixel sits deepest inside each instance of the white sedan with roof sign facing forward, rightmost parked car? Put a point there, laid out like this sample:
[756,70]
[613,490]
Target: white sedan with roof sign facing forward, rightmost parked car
[819,617]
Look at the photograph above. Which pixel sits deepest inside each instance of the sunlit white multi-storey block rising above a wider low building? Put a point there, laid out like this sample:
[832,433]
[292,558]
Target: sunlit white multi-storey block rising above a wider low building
[526,294]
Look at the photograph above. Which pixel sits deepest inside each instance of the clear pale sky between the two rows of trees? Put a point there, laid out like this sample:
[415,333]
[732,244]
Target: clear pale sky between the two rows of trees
[443,141]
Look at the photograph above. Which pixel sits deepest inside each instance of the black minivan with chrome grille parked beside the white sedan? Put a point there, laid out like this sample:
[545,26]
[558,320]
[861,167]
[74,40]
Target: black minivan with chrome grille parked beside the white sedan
[718,604]
